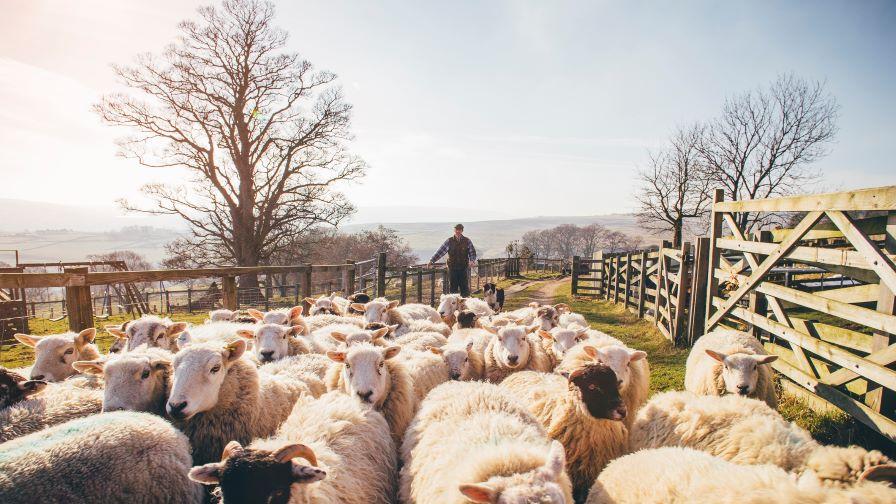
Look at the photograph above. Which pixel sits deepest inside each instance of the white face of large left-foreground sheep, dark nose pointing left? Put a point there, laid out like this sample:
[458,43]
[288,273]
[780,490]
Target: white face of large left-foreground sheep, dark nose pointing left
[199,372]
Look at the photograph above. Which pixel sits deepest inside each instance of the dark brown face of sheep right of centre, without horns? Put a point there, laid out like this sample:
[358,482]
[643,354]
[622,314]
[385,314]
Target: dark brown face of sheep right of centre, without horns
[597,389]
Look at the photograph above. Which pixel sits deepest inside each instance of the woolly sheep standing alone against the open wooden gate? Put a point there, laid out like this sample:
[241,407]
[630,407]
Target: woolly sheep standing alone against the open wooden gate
[729,361]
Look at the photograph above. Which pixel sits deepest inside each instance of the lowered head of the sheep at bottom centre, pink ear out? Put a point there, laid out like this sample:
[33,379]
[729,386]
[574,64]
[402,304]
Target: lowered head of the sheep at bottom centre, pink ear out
[539,485]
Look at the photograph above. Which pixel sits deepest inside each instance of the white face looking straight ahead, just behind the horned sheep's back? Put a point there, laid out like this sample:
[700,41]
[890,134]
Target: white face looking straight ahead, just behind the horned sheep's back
[364,372]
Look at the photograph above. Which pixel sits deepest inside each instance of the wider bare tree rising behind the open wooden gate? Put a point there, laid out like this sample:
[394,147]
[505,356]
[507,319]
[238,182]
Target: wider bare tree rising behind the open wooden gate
[764,141]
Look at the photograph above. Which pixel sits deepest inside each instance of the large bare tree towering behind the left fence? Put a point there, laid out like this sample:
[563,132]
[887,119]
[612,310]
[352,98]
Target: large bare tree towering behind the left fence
[263,135]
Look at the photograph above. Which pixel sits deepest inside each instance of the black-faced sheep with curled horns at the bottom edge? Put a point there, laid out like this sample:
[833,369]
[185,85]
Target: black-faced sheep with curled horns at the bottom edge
[346,447]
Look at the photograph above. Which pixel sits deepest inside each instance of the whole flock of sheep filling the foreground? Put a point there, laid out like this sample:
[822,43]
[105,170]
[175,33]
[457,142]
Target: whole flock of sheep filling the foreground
[366,401]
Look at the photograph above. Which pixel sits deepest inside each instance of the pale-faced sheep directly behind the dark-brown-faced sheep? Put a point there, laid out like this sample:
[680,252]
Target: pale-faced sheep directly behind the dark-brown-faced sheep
[630,366]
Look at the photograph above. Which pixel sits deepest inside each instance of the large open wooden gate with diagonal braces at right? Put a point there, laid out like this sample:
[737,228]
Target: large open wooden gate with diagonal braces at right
[835,338]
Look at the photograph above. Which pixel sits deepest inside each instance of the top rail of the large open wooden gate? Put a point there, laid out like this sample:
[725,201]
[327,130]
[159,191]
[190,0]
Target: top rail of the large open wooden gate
[878,198]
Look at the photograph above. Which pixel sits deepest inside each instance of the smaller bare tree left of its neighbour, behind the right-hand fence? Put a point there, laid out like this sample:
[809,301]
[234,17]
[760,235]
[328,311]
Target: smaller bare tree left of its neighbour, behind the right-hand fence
[675,188]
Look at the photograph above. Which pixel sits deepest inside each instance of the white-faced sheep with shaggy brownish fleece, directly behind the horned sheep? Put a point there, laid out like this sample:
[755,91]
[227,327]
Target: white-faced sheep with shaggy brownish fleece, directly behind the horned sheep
[217,397]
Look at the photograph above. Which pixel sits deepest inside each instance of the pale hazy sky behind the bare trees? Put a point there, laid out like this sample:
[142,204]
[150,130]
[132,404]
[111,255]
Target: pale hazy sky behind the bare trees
[492,109]
